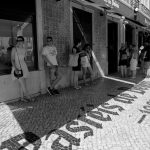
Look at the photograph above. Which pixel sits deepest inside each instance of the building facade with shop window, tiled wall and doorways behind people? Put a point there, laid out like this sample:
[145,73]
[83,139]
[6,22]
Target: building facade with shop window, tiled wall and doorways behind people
[104,24]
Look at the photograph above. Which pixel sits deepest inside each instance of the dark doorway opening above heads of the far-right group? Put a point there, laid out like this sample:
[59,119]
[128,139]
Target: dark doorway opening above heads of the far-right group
[129,35]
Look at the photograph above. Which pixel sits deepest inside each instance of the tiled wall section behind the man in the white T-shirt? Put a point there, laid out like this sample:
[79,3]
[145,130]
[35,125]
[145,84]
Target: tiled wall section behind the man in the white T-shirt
[56,24]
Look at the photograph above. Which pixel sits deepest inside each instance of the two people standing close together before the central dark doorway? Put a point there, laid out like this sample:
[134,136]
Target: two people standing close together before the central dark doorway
[80,60]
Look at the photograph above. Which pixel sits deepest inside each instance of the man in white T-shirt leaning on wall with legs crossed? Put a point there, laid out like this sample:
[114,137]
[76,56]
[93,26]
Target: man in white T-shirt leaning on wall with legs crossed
[49,54]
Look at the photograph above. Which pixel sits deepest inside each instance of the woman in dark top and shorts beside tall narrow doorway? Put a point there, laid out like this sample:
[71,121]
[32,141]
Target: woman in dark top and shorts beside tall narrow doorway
[123,60]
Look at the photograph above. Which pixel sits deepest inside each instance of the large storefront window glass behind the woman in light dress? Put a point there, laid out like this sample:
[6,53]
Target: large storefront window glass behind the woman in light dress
[9,30]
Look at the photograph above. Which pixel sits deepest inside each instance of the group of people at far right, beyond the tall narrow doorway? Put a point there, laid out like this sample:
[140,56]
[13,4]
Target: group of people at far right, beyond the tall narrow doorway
[130,58]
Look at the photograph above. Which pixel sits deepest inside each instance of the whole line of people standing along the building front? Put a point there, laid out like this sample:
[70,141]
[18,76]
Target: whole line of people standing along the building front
[80,60]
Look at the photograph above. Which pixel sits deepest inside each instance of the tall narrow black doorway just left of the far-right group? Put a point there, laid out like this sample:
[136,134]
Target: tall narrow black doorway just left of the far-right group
[112,47]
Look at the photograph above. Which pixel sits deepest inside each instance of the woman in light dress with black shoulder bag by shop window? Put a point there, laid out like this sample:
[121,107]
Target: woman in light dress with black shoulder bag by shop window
[19,68]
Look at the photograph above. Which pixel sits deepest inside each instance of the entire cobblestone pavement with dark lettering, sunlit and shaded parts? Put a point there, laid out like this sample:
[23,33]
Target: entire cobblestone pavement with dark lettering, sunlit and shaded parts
[107,115]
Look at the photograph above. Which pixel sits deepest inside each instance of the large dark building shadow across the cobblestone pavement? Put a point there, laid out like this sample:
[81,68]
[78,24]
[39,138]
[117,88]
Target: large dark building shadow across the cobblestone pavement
[49,113]
